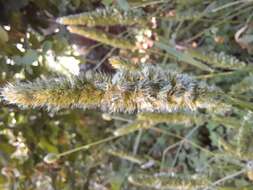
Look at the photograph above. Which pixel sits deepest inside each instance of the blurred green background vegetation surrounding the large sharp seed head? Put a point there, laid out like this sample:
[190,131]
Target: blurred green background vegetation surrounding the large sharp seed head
[210,40]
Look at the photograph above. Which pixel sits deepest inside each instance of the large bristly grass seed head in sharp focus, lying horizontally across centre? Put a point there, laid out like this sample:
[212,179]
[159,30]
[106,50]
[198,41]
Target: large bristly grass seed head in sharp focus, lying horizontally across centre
[149,89]
